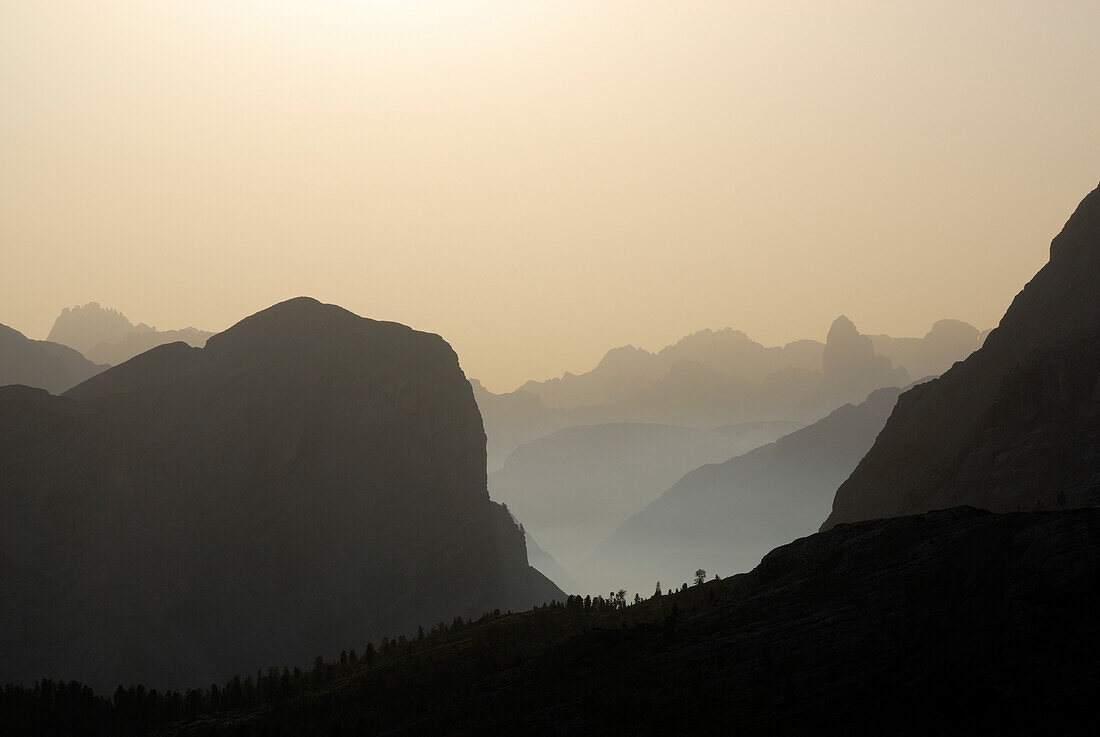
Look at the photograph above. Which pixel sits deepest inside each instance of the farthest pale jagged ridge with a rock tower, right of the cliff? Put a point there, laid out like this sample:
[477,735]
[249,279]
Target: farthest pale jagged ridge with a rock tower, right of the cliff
[714,379]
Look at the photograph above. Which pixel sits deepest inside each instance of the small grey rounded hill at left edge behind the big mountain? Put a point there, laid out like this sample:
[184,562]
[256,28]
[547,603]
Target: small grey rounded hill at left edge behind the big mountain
[40,364]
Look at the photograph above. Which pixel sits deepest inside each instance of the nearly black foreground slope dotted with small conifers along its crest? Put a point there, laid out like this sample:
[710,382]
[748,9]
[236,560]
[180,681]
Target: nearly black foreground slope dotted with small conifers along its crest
[958,622]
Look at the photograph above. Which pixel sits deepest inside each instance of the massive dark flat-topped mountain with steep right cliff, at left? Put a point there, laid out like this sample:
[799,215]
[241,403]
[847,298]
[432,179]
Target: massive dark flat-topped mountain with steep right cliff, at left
[309,480]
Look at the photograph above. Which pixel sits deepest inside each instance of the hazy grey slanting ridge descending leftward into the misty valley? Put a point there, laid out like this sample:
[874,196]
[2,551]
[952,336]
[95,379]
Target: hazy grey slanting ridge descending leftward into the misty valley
[724,518]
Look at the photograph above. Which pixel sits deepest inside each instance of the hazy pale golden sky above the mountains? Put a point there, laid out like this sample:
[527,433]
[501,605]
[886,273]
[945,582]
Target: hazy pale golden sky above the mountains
[542,181]
